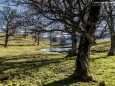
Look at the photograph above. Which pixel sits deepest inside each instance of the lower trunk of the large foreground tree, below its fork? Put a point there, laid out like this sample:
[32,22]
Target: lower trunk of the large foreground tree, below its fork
[83,60]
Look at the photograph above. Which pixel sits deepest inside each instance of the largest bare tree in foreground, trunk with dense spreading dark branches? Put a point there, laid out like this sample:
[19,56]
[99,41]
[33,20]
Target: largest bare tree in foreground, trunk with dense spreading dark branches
[81,16]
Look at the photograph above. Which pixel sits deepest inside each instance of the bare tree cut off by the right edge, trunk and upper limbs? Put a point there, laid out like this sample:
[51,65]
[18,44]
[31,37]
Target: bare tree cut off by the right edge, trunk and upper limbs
[109,16]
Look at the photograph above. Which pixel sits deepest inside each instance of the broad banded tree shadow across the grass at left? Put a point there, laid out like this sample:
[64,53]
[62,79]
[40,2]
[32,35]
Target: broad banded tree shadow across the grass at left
[20,65]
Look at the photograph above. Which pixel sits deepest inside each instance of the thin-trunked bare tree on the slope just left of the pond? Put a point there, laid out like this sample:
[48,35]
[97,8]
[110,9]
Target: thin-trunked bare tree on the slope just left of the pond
[31,23]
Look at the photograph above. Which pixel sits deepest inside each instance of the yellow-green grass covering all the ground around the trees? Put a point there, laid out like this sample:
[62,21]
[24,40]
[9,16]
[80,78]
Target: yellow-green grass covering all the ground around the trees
[23,64]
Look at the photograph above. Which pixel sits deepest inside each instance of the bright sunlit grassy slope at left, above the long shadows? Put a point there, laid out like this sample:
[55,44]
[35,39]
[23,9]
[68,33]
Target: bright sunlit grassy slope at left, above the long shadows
[18,45]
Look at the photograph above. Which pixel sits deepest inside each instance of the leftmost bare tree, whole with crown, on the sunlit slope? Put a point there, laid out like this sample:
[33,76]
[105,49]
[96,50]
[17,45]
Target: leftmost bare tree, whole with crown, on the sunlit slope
[9,21]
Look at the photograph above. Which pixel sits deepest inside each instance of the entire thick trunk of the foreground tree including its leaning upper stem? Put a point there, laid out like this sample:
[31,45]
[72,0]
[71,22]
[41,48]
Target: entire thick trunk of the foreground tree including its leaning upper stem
[83,59]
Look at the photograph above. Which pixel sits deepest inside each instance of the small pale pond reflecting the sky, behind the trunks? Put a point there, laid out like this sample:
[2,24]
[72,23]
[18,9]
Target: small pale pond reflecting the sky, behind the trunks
[56,49]
